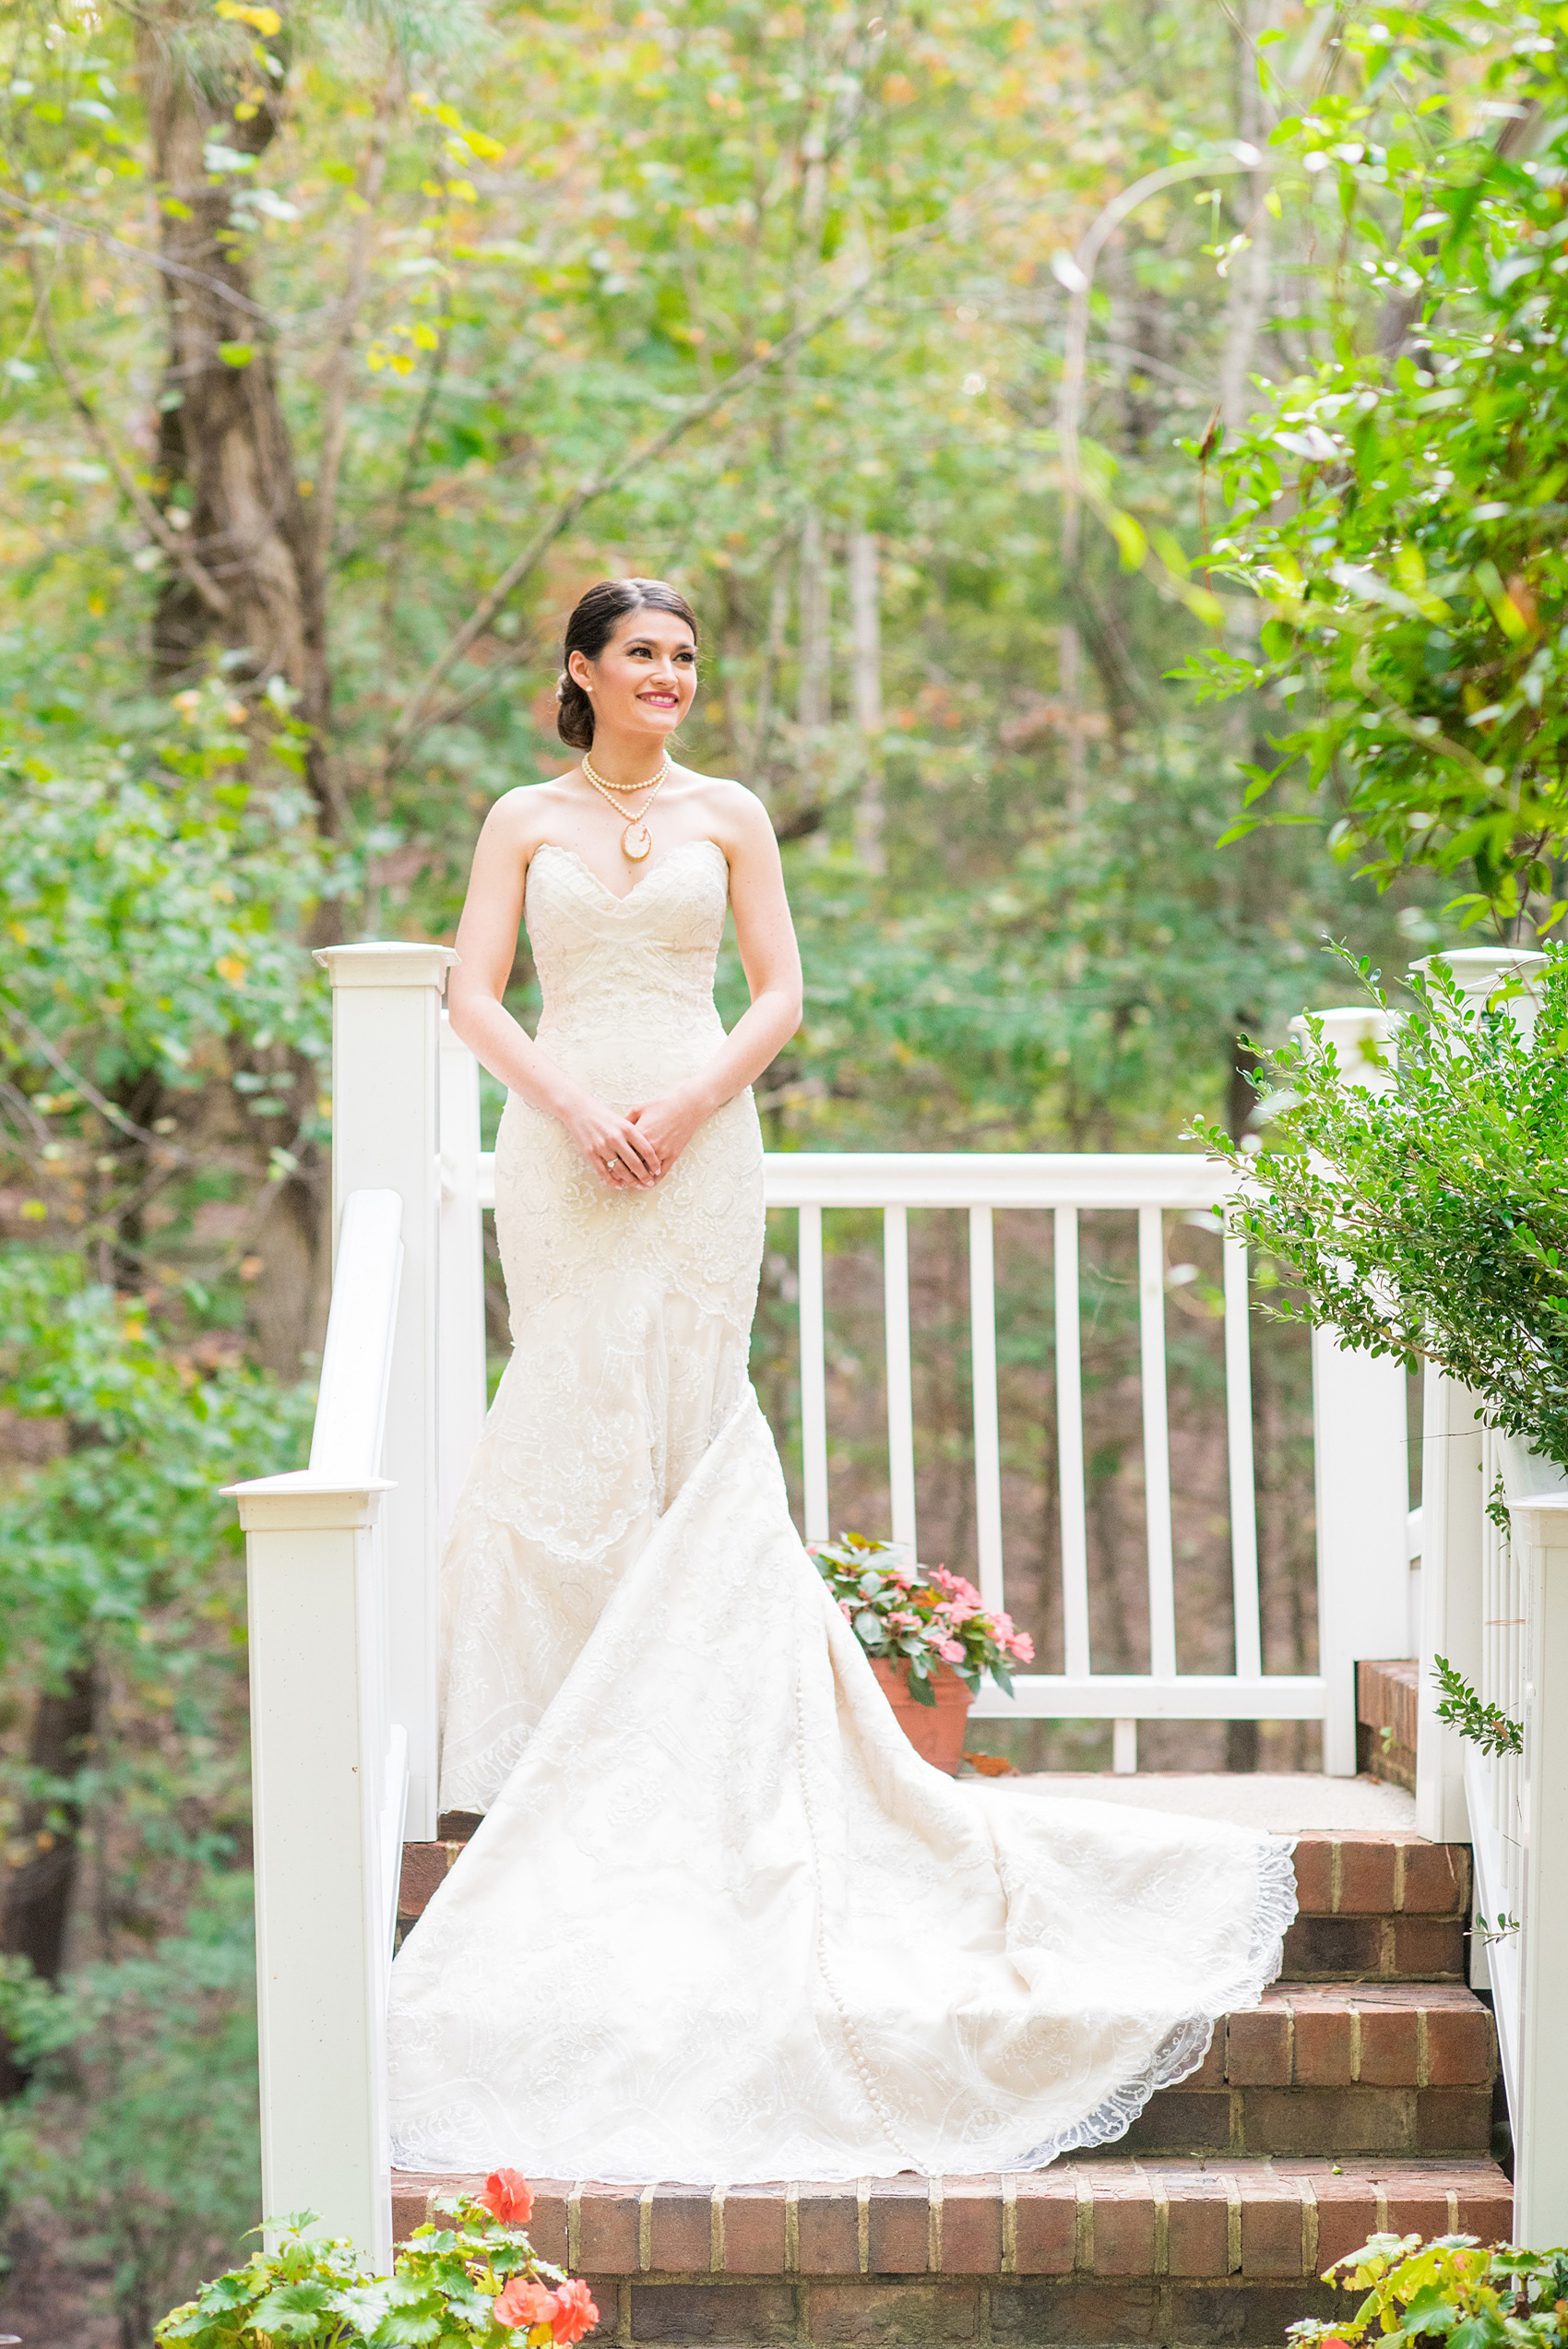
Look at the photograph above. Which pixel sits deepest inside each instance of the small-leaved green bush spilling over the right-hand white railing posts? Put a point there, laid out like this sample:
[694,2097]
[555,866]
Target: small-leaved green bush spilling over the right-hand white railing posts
[1431,1223]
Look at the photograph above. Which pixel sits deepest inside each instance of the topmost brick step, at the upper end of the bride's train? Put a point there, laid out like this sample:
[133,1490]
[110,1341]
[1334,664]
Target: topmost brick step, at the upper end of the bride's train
[1377,1906]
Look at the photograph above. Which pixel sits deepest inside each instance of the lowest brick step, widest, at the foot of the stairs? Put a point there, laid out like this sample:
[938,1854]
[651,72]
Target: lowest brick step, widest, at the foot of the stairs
[1095,2249]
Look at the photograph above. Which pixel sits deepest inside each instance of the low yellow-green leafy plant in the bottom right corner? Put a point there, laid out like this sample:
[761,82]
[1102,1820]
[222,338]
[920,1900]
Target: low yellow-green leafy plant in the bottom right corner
[1447,2291]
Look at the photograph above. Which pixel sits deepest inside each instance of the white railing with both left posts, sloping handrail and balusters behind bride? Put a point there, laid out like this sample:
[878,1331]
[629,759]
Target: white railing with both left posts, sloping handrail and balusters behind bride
[344,1587]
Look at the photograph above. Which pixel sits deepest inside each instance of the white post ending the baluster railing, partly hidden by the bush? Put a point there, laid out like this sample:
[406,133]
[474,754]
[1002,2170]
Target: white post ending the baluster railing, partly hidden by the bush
[1363,1469]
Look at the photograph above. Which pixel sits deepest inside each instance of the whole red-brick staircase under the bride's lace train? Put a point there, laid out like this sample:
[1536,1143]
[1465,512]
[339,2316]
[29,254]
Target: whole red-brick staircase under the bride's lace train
[1356,2099]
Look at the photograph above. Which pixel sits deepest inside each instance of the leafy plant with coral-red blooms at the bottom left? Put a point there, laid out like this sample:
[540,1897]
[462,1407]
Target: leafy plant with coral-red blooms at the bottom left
[471,2284]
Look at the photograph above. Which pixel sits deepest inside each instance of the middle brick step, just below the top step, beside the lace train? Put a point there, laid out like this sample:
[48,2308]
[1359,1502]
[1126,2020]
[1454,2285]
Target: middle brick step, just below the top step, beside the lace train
[1330,2068]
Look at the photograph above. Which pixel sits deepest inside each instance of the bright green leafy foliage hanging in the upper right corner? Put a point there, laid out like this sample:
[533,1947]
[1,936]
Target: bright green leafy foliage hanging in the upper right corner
[1398,513]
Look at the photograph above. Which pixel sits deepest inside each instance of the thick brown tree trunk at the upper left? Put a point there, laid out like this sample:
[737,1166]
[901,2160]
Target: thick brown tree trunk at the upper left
[222,431]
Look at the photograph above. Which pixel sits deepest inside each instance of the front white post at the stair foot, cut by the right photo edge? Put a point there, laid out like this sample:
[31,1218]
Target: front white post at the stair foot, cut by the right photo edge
[1541,2122]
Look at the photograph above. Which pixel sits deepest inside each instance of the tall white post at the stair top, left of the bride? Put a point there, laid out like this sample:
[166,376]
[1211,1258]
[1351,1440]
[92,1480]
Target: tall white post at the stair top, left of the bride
[388,1136]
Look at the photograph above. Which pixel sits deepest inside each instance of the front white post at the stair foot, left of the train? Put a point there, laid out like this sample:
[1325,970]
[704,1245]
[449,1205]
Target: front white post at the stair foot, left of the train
[323,1948]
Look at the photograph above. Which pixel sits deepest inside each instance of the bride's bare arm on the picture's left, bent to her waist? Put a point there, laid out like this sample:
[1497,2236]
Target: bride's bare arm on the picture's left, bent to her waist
[487,945]
